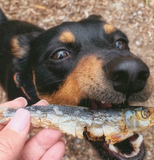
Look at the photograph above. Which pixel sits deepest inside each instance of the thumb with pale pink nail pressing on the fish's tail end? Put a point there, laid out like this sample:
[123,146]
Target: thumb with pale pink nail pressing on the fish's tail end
[13,136]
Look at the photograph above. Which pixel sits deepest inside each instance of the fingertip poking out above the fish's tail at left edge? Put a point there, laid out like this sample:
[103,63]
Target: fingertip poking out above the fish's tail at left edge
[16,103]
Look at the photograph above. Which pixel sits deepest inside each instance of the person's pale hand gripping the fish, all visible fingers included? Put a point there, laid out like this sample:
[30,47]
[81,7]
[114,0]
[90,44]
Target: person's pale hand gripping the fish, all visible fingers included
[46,145]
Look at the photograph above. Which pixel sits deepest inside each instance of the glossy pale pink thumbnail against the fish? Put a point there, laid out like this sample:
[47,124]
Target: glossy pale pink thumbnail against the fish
[20,120]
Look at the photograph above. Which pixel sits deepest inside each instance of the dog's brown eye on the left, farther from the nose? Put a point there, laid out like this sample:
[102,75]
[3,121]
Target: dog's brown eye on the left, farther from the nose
[60,55]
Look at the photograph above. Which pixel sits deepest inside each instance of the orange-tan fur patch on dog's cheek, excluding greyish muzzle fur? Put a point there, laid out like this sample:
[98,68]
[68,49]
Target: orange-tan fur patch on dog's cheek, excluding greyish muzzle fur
[78,83]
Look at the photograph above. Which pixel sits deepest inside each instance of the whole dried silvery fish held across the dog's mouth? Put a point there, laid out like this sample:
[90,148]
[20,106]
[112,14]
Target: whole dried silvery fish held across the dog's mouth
[110,124]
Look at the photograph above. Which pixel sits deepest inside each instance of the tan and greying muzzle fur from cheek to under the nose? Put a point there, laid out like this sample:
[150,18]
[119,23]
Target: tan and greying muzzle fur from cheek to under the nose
[88,80]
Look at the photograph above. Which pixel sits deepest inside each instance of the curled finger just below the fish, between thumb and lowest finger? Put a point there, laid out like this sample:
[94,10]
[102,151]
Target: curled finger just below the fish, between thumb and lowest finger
[36,147]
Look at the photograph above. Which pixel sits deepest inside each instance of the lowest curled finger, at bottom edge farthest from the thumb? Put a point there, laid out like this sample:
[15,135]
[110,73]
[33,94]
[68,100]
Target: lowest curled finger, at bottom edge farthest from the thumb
[56,152]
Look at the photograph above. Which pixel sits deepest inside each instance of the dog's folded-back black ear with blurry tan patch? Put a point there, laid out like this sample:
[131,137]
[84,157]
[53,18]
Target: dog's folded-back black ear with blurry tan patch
[20,47]
